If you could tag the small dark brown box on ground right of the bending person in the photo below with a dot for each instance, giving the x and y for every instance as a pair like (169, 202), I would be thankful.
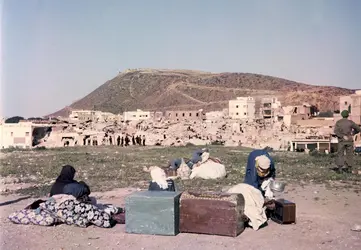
(284, 212)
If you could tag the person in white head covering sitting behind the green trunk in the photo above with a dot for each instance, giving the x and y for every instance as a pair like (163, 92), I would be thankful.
(159, 181)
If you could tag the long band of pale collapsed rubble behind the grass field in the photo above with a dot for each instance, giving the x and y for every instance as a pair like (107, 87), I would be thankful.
(159, 131)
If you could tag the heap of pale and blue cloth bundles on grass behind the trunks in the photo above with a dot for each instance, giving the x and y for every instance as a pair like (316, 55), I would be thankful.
(201, 165)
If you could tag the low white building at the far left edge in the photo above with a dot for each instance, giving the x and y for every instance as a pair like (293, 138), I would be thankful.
(16, 135)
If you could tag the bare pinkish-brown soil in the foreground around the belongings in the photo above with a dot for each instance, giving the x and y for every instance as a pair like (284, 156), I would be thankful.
(324, 221)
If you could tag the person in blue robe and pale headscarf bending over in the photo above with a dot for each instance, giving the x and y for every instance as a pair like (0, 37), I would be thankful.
(260, 171)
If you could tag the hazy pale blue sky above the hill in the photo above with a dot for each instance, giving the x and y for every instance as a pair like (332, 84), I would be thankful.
(57, 51)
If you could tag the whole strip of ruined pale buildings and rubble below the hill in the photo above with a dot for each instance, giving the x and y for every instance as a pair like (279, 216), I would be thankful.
(241, 124)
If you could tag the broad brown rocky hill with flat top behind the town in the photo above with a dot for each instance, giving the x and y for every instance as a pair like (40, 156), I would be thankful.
(151, 89)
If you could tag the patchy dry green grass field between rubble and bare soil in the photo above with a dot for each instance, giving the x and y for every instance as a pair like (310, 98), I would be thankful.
(106, 168)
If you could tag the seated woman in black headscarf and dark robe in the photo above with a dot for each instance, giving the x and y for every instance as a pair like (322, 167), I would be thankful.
(65, 184)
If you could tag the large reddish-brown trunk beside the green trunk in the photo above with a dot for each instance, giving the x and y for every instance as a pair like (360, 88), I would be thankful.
(212, 213)
